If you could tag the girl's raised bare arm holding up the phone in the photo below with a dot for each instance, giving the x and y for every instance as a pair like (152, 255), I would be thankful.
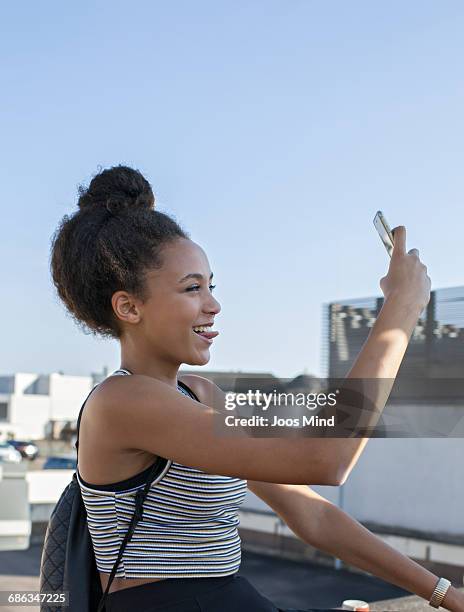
(145, 413)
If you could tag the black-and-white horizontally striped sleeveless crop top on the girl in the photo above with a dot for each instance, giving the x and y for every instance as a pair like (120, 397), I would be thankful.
(188, 529)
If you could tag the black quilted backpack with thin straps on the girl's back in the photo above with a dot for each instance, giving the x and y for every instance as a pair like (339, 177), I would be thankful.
(68, 560)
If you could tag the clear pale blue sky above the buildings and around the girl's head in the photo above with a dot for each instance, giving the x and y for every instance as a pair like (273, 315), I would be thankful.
(272, 131)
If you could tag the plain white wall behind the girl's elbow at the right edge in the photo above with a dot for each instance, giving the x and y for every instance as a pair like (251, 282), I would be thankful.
(410, 483)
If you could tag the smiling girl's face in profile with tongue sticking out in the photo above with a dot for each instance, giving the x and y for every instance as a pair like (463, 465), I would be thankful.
(180, 299)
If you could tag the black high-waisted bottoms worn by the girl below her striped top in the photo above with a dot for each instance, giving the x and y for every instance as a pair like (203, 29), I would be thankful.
(224, 594)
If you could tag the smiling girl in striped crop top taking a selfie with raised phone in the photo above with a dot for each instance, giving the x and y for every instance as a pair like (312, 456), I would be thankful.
(129, 272)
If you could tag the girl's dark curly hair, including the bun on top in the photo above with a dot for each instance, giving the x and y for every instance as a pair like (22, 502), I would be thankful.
(108, 245)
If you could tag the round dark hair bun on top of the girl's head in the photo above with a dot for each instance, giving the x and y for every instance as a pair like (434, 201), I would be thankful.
(117, 189)
